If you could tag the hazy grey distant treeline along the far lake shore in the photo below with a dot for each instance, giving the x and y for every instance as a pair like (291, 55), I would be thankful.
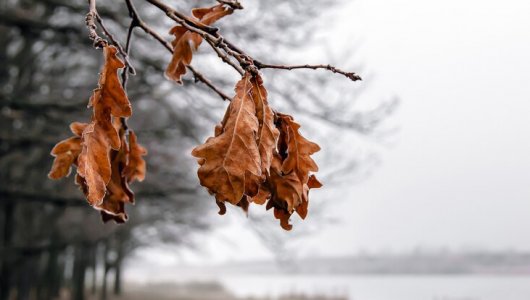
(442, 262)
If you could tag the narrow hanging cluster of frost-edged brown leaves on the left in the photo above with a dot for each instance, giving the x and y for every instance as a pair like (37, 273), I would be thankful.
(106, 162)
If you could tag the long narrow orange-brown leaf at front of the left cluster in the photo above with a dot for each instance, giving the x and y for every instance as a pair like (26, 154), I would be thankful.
(99, 137)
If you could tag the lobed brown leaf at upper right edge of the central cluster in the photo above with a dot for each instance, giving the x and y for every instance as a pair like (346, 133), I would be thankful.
(298, 150)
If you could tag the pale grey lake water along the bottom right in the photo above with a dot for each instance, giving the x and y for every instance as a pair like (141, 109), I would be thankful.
(384, 287)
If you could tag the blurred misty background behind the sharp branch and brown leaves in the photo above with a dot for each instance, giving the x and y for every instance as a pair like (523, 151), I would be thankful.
(425, 162)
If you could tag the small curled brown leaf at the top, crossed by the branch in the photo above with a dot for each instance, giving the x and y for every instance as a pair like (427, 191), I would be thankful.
(186, 42)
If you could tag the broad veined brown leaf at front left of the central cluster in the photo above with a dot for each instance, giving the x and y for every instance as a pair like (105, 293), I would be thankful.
(230, 161)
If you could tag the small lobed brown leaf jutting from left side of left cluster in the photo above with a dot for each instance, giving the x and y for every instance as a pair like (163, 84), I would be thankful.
(66, 152)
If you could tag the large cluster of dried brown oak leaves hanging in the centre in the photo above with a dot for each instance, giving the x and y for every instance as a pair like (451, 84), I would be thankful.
(257, 156)
